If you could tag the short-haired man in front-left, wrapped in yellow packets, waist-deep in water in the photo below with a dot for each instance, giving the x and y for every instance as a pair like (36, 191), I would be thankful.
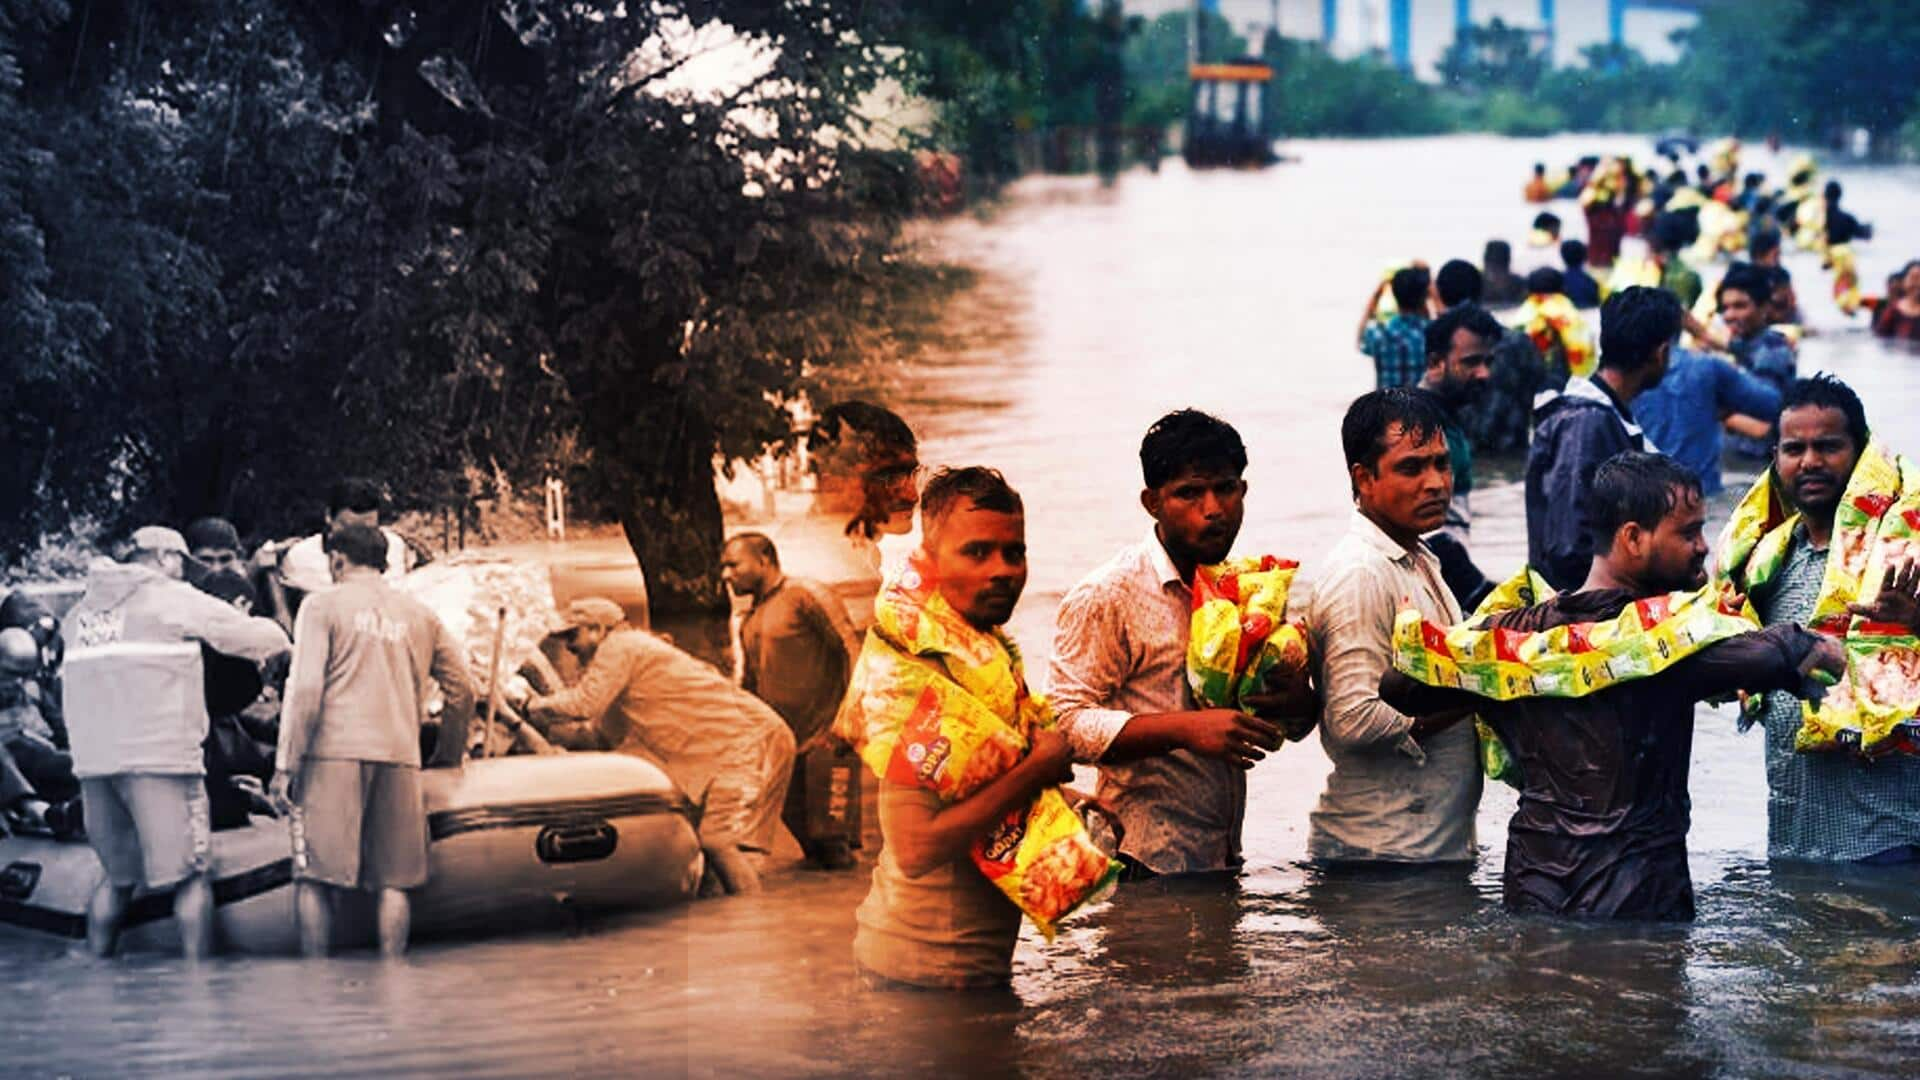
(974, 829)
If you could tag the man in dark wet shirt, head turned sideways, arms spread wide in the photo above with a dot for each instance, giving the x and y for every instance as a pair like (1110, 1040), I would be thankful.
(1604, 810)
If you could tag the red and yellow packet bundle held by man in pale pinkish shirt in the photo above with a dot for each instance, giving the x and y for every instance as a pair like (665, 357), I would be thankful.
(1239, 633)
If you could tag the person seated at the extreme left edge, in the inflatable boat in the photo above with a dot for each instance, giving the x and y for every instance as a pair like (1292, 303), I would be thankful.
(39, 793)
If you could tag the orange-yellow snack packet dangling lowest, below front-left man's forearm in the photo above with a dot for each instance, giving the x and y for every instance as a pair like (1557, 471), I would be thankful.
(1045, 862)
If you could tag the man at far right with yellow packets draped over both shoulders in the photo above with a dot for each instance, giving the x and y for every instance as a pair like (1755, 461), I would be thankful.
(1835, 489)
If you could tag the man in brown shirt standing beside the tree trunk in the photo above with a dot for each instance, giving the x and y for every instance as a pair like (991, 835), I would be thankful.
(794, 656)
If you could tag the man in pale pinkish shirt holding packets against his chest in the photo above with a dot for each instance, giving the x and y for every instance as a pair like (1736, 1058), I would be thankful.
(1174, 775)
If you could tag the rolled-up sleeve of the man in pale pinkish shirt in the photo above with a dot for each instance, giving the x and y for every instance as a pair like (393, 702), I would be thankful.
(1088, 670)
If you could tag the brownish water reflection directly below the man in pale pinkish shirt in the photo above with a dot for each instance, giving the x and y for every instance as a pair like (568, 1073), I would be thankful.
(1176, 931)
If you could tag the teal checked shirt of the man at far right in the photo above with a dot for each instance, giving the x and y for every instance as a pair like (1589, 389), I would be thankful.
(1827, 806)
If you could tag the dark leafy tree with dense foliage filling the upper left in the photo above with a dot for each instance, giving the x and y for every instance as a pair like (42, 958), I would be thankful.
(249, 247)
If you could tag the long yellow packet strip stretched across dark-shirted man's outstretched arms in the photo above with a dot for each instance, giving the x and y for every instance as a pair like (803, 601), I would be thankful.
(1566, 662)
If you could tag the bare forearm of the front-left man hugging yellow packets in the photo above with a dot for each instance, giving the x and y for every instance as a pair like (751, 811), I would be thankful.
(924, 839)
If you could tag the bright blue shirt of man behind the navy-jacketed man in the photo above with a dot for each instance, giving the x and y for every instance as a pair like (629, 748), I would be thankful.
(1683, 414)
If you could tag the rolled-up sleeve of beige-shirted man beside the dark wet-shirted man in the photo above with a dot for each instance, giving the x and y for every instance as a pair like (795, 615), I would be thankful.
(1355, 620)
